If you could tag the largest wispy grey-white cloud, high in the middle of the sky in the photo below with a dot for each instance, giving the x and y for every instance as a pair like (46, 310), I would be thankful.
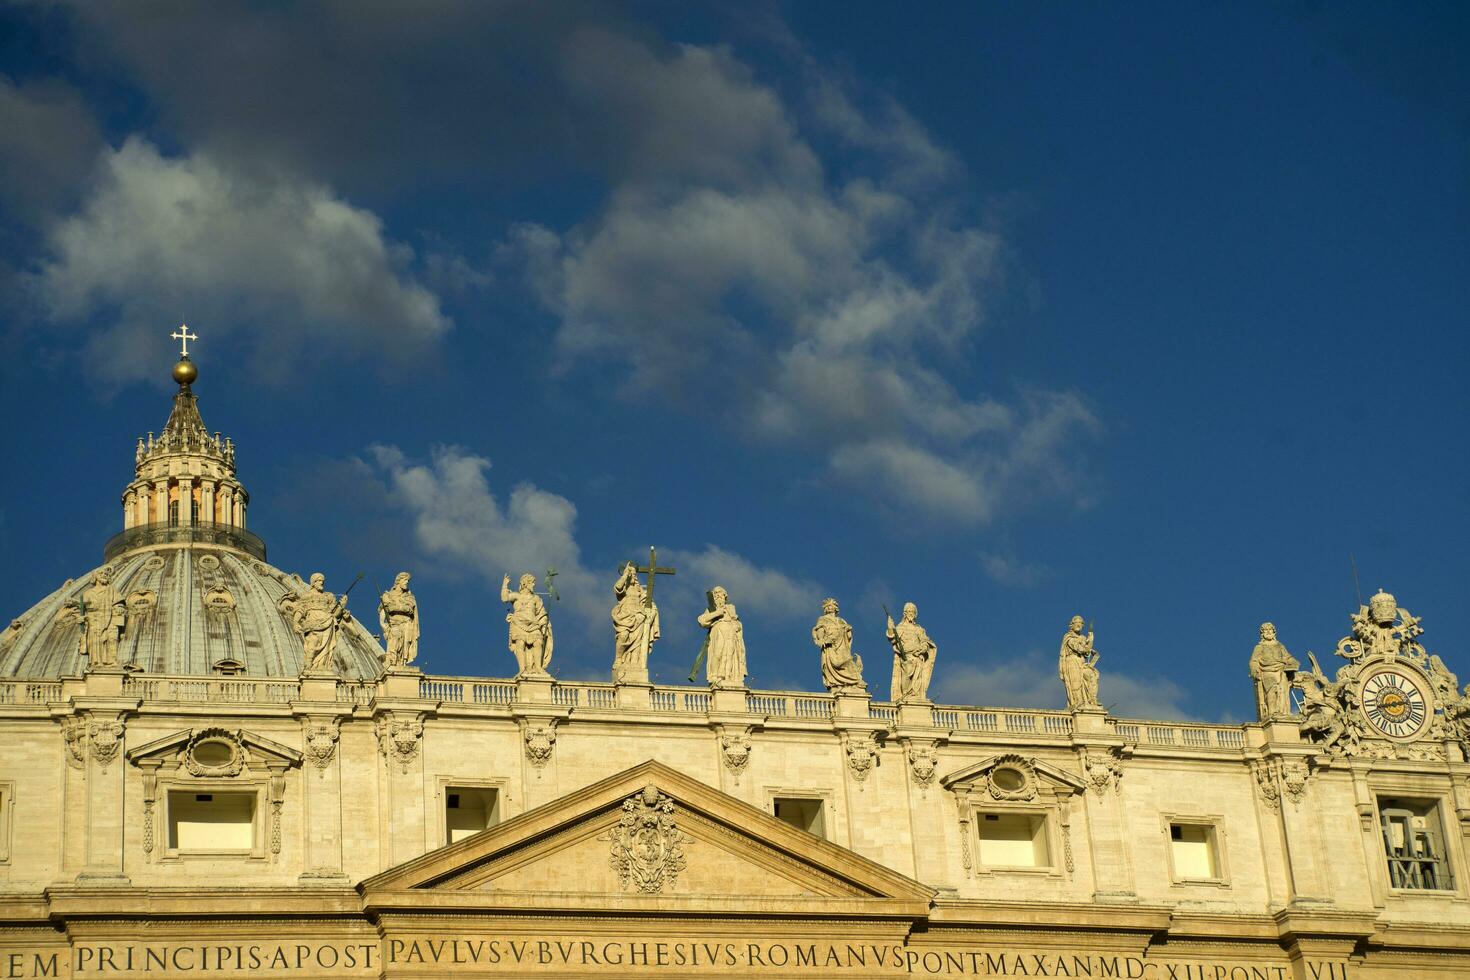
(736, 265)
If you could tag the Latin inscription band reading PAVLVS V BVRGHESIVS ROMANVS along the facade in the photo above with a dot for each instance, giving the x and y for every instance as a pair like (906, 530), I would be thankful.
(523, 956)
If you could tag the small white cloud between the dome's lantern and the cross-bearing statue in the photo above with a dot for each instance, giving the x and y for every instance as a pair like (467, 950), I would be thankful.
(459, 519)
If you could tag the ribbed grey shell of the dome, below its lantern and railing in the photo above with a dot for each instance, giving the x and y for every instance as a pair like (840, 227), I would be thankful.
(192, 610)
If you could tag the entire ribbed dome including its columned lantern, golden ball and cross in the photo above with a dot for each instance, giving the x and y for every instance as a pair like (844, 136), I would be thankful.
(198, 593)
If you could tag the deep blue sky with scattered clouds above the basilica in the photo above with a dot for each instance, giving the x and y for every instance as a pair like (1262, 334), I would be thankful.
(1155, 314)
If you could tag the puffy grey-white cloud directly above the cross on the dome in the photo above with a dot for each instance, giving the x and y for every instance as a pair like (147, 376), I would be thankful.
(168, 239)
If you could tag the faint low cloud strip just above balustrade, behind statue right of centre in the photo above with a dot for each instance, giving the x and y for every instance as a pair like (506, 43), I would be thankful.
(1033, 682)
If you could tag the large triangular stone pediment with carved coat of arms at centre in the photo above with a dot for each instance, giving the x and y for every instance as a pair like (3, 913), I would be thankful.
(649, 834)
